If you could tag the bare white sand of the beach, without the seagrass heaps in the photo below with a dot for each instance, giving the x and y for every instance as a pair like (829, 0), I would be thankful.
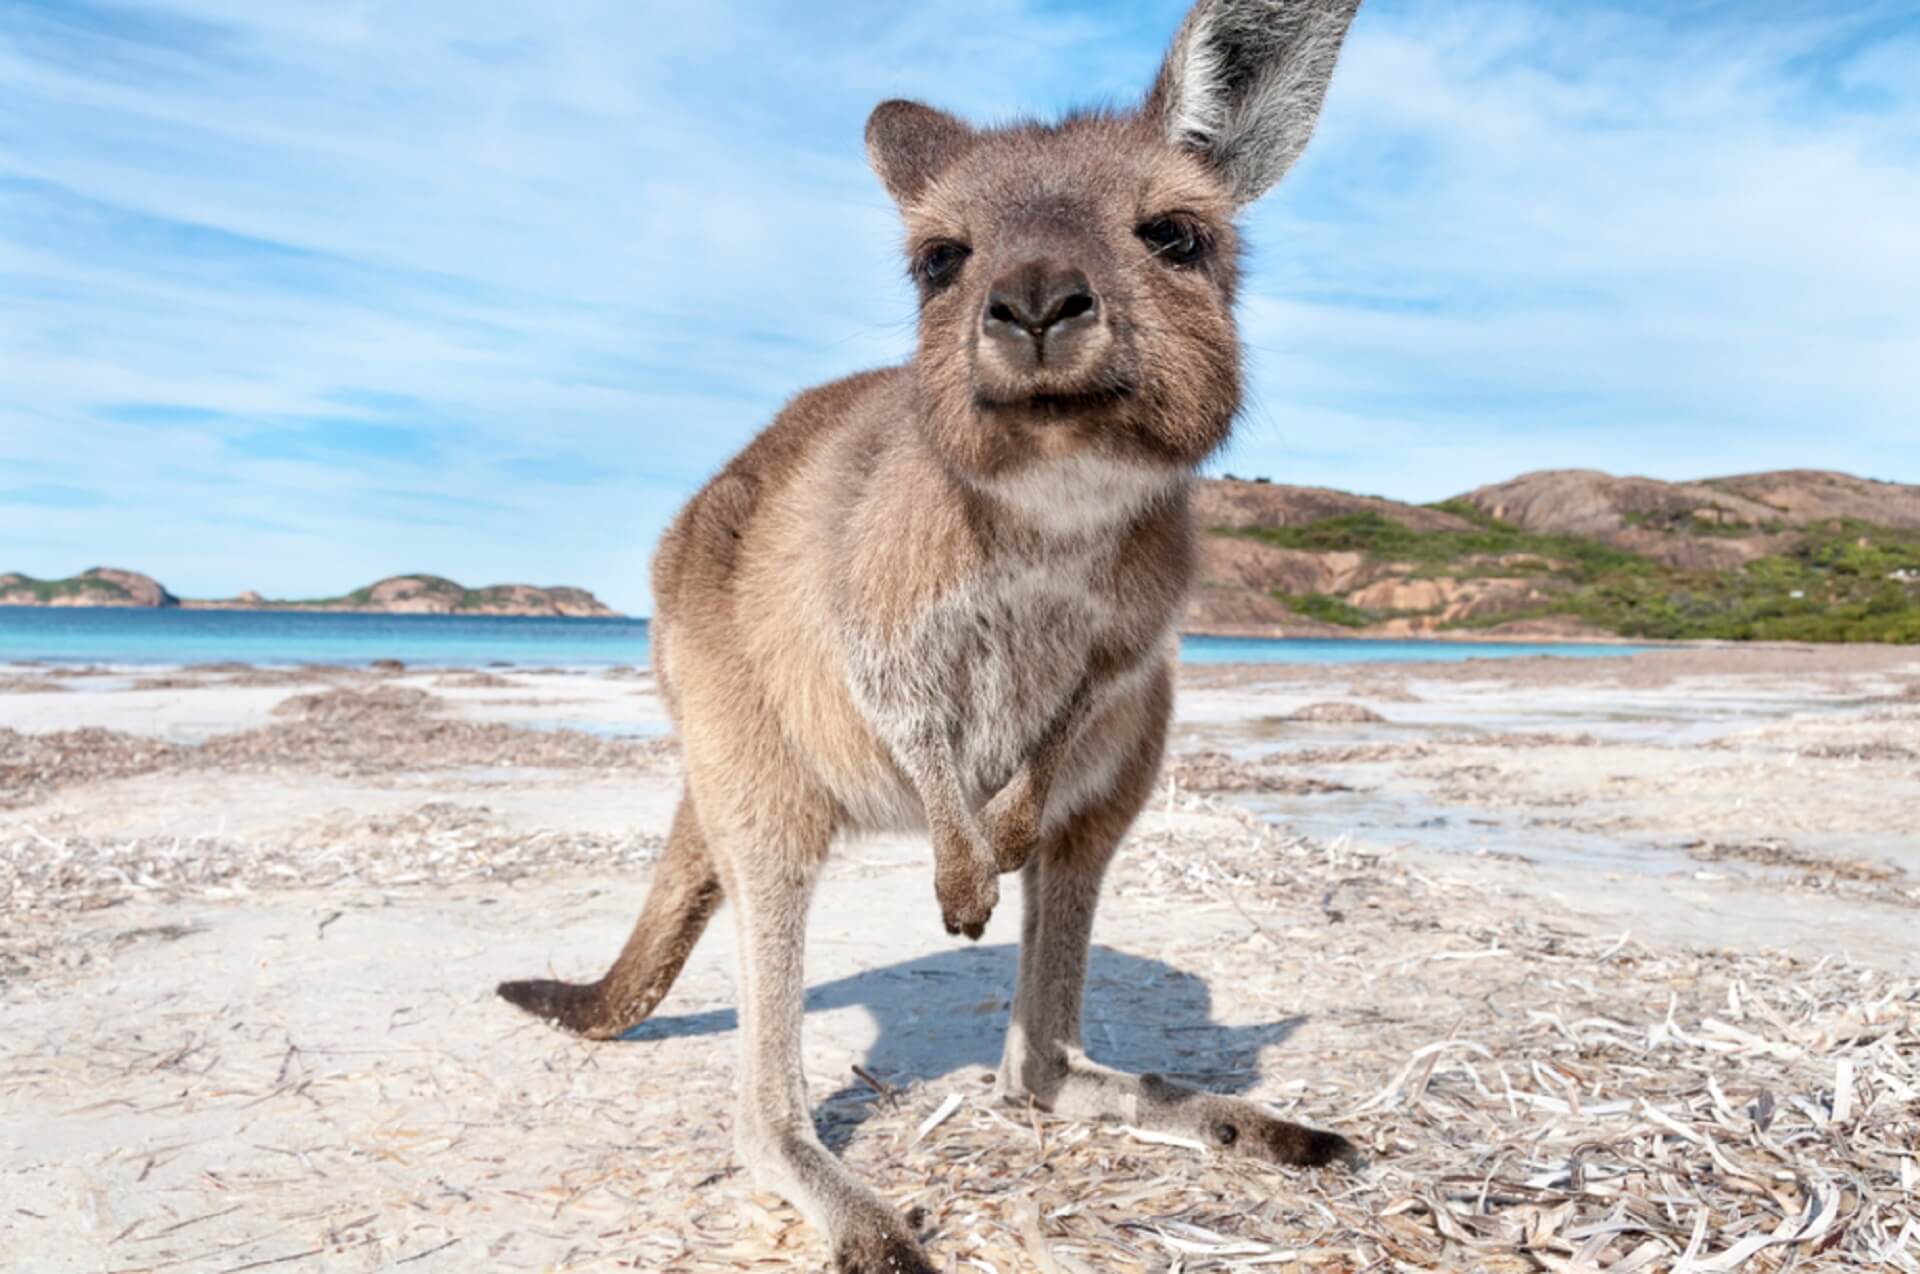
(322, 1077)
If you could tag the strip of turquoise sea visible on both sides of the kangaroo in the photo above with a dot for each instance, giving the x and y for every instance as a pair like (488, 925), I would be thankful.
(464, 642)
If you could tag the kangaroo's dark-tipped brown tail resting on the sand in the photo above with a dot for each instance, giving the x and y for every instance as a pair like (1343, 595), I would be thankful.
(686, 893)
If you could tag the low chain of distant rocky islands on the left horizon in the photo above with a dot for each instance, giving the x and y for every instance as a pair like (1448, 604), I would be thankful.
(107, 586)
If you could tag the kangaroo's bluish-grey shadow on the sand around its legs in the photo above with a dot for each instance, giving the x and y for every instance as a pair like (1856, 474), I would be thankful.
(949, 1010)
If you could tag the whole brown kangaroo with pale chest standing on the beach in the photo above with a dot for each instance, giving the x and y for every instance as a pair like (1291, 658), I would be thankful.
(944, 596)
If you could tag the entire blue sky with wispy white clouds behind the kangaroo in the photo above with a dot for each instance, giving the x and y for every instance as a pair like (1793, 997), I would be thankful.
(295, 296)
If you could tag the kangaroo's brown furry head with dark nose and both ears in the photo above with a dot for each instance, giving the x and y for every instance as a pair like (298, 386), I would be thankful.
(1076, 281)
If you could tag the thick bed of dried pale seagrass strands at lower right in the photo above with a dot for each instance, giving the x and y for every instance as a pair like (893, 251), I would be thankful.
(1577, 1104)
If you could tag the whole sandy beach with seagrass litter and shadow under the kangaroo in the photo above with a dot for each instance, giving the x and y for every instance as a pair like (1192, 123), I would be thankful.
(1608, 964)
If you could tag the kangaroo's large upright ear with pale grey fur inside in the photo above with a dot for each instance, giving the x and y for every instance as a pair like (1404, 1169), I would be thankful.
(1245, 82)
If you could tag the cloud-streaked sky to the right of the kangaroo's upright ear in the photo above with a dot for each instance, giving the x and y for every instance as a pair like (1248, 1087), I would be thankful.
(1637, 239)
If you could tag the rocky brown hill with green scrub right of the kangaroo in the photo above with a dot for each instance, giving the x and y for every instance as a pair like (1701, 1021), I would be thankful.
(1796, 555)
